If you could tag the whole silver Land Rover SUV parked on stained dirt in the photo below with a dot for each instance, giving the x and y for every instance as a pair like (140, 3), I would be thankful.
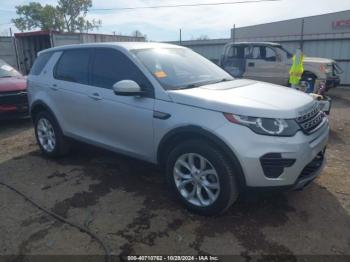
(165, 104)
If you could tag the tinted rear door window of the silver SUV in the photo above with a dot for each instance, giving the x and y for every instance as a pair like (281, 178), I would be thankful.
(73, 66)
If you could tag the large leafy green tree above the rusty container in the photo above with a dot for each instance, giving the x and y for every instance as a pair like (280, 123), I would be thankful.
(68, 15)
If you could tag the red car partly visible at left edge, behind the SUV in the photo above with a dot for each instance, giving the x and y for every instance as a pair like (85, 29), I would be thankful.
(13, 93)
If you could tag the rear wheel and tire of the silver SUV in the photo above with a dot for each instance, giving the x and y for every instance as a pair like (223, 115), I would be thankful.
(49, 135)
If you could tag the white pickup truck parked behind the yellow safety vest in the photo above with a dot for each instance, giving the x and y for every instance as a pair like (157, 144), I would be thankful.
(270, 62)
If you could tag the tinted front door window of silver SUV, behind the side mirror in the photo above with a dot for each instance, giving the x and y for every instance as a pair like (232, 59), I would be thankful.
(110, 66)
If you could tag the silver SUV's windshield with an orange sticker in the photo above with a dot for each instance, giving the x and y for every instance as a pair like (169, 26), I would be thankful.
(180, 68)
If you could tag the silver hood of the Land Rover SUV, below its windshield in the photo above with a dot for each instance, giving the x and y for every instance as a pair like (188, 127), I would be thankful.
(246, 97)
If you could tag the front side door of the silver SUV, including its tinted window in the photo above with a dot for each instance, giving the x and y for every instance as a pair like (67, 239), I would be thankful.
(122, 123)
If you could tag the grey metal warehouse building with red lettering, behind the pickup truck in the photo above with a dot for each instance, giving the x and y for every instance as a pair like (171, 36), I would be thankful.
(325, 35)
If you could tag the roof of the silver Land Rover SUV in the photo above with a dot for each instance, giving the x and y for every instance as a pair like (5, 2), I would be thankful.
(121, 45)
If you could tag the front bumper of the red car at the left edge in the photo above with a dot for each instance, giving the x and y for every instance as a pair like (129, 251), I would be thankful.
(13, 105)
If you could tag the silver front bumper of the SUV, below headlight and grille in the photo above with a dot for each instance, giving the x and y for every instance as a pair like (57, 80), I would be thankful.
(250, 147)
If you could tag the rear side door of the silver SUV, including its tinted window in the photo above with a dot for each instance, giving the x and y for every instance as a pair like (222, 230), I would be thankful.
(71, 87)
